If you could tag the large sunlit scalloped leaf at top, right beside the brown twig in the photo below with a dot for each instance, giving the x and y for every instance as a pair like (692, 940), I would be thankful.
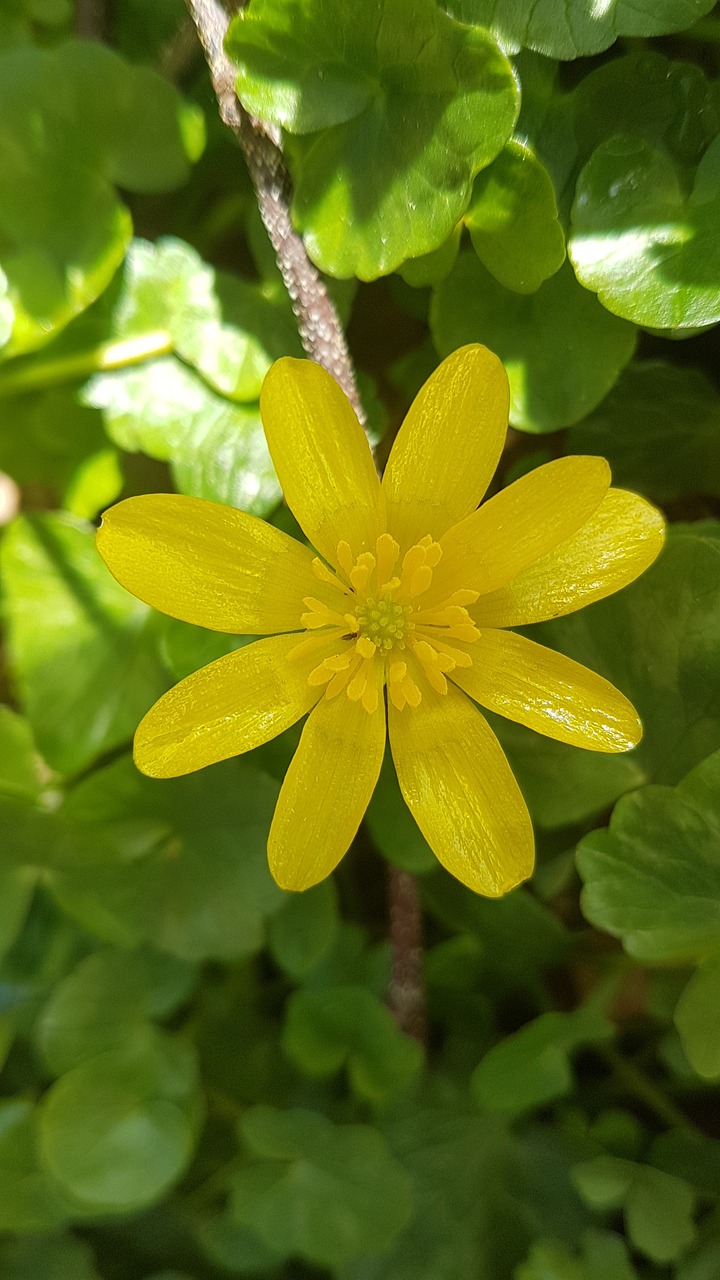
(394, 118)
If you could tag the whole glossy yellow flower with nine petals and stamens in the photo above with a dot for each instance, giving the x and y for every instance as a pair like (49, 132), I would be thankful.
(411, 592)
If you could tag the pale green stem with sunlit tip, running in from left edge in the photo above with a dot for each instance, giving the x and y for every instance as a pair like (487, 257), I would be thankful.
(38, 374)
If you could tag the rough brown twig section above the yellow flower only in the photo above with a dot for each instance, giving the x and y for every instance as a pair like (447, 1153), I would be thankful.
(318, 323)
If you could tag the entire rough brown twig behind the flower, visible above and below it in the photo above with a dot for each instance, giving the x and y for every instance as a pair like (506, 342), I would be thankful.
(325, 342)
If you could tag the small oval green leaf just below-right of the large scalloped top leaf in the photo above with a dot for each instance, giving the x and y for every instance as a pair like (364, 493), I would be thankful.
(513, 221)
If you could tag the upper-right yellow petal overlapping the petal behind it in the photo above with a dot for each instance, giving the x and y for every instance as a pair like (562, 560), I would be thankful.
(521, 524)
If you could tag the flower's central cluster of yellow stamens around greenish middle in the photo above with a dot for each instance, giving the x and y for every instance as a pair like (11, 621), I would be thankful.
(388, 628)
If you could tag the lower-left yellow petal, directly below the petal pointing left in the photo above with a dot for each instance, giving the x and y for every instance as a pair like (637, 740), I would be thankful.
(236, 703)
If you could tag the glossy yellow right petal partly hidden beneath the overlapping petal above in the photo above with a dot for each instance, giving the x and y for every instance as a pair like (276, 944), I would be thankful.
(612, 550)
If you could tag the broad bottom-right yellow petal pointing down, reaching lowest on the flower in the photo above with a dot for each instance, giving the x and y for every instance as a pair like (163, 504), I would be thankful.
(462, 792)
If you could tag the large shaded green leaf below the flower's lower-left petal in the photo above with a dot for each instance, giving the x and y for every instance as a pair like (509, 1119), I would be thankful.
(181, 863)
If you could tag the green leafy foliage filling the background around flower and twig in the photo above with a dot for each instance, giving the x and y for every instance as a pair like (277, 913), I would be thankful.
(200, 1076)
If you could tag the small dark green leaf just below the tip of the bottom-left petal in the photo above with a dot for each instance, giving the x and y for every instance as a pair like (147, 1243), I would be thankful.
(304, 930)
